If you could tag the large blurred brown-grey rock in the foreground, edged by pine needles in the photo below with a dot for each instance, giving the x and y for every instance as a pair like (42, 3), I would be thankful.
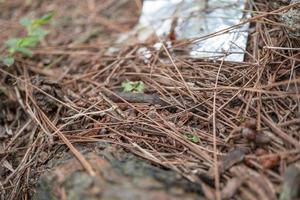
(120, 175)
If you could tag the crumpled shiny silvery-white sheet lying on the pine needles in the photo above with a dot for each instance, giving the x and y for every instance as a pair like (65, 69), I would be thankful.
(192, 19)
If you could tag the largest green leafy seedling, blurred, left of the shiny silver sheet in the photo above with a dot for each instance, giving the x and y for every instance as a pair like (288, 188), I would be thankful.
(34, 34)
